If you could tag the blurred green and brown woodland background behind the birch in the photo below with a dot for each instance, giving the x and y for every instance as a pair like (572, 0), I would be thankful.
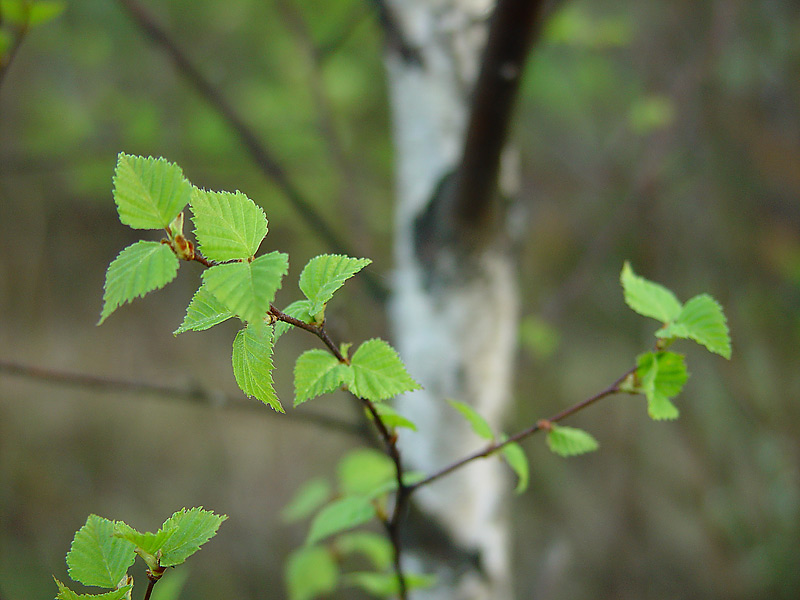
(664, 133)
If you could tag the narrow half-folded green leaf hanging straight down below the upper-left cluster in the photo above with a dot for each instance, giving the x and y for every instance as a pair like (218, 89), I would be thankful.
(252, 363)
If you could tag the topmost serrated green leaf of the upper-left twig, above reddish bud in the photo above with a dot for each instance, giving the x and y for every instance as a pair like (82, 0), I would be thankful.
(149, 192)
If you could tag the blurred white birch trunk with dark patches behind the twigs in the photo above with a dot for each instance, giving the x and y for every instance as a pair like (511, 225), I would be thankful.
(454, 316)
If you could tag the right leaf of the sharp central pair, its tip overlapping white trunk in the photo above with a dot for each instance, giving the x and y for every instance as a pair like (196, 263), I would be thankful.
(378, 372)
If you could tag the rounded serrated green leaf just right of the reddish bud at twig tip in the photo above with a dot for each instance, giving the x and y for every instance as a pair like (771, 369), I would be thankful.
(228, 226)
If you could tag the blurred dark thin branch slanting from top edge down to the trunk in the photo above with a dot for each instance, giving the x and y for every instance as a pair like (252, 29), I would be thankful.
(262, 155)
